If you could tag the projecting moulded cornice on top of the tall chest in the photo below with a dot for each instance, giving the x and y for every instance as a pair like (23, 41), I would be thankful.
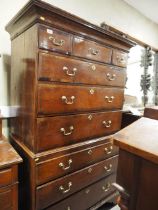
(40, 12)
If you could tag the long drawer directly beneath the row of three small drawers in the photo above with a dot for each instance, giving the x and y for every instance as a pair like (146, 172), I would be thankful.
(64, 69)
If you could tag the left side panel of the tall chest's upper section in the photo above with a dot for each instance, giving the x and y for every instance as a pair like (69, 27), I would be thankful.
(23, 85)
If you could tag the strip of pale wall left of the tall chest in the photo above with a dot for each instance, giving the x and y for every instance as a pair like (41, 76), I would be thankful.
(7, 10)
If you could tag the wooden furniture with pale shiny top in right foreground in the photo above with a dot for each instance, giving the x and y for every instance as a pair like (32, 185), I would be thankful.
(138, 164)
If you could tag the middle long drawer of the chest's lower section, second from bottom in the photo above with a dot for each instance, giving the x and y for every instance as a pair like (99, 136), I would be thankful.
(57, 190)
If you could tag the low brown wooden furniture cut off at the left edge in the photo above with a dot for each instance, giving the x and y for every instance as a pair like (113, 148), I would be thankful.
(9, 160)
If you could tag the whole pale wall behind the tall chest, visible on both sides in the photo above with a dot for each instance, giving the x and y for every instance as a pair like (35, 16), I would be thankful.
(116, 13)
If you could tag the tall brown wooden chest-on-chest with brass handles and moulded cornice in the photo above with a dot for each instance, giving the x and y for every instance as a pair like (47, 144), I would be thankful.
(68, 78)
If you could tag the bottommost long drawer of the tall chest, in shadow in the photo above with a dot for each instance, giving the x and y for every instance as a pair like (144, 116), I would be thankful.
(87, 197)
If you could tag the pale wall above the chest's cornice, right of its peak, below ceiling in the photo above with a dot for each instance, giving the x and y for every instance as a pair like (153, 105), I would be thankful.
(116, 13)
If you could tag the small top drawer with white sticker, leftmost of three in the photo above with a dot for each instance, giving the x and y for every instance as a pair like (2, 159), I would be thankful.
(55, 40)
